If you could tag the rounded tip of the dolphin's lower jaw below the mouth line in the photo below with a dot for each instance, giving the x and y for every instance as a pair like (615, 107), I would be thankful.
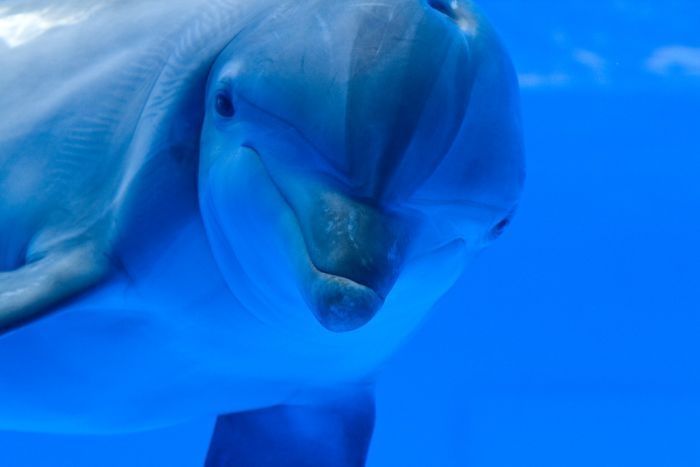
(341, 304)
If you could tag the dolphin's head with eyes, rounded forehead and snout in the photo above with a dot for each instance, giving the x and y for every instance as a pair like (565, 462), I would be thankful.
(344, 141)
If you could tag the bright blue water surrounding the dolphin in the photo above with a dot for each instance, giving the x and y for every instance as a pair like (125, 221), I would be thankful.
(575, 339)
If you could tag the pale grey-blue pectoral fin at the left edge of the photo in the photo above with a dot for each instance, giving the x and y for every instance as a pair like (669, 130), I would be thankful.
(32, 289)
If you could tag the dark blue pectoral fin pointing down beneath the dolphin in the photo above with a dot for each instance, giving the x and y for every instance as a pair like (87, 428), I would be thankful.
(332, 433)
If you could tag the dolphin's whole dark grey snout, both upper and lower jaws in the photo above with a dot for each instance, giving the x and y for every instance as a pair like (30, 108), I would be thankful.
(357, 250)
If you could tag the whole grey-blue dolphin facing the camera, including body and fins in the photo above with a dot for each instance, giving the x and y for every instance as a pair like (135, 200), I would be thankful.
(237, 206)
